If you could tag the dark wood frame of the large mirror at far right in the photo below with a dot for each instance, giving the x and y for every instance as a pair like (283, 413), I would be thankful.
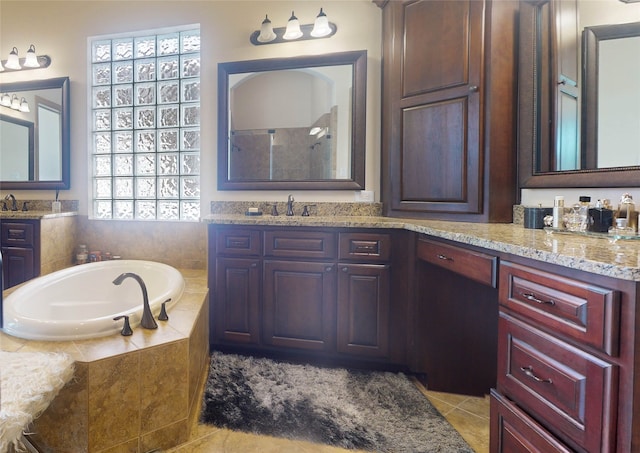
(528, 139)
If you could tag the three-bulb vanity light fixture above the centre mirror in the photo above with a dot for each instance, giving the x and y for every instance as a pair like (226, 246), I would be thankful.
(321, 28)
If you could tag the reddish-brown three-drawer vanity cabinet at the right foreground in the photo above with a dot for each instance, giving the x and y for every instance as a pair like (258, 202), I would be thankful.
(566, 367)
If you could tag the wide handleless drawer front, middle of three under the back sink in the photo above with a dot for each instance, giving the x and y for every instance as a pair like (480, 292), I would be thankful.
(299, 244)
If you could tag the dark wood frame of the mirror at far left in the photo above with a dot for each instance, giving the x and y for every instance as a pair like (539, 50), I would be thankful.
(63, 84)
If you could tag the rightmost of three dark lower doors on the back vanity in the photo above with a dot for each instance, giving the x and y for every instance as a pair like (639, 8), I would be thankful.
(363, 309)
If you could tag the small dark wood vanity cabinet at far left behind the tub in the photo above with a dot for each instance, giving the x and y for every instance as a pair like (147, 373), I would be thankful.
(20, 241)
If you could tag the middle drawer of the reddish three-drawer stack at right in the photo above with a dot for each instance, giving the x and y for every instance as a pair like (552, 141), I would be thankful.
(568, 391)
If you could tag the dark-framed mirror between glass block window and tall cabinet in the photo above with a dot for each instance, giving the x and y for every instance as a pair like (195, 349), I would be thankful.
(292, 123)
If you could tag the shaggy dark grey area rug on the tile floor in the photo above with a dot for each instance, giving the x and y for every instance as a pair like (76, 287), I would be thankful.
(374, 411)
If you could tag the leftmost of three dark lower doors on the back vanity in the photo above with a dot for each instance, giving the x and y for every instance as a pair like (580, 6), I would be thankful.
(236, 306)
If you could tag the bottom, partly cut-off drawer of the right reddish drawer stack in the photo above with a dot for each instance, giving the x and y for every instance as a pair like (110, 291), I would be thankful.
(513, 431)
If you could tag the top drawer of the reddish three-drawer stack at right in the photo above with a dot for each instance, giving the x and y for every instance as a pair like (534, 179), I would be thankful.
(584, 312)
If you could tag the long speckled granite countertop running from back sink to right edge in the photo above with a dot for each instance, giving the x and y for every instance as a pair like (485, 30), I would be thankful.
(619, 259)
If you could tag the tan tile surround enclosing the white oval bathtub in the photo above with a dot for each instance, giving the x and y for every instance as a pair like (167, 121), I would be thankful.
(132, 393)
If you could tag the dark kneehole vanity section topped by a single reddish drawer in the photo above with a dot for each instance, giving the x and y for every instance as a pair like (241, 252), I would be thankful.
(455, 317)
